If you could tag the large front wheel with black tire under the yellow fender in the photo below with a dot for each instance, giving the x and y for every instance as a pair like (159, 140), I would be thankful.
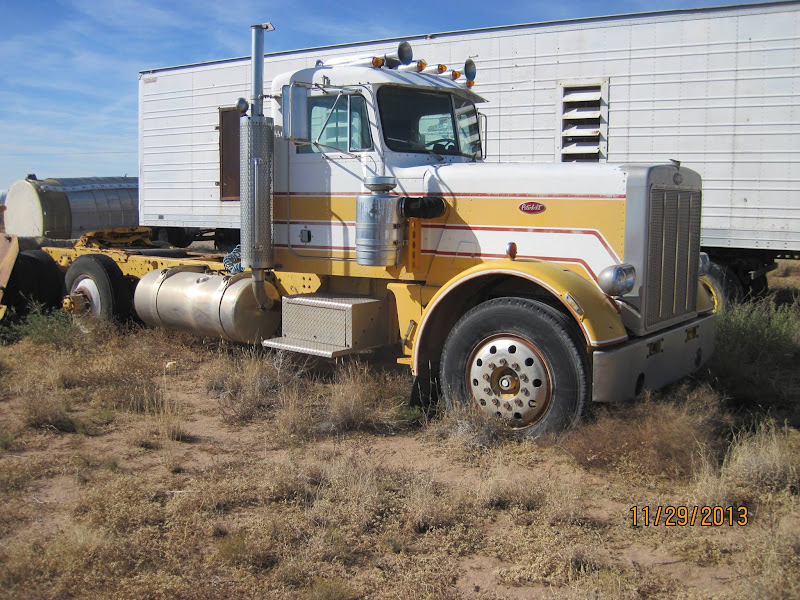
(515, 358)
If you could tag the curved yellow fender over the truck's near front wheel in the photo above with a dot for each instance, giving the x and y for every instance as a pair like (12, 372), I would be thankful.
(595, 313)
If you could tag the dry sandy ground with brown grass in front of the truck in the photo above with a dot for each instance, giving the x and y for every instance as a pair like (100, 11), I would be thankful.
(183, 491)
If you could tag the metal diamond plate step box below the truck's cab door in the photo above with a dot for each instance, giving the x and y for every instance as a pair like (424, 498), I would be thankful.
(331, 325)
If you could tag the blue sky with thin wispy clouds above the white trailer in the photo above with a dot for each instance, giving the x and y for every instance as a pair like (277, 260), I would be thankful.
(69, 68)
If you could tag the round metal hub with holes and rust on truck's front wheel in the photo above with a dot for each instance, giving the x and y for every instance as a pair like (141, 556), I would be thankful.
(509, 379)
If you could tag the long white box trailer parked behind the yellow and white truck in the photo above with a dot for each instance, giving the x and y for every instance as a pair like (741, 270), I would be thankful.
(714, 88)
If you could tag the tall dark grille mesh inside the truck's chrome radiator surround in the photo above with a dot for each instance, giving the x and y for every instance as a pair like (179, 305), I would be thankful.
(673, 253)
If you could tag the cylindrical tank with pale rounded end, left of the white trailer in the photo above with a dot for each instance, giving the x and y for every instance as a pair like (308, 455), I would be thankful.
(68, 208)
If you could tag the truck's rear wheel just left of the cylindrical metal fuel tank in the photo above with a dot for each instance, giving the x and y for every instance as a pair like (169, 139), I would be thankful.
(100, 283)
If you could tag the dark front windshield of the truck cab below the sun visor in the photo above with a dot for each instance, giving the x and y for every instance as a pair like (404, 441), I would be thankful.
(421, 121)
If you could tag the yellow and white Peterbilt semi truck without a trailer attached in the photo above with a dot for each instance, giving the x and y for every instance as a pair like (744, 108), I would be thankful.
(370, 219)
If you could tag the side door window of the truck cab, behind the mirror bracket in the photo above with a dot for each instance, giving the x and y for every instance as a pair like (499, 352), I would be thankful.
(341, 122)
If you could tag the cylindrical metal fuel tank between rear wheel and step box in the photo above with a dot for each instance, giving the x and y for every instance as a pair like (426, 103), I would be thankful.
(190, 299)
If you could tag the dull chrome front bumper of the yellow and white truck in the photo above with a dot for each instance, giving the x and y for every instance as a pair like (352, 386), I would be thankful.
(652, 362)
